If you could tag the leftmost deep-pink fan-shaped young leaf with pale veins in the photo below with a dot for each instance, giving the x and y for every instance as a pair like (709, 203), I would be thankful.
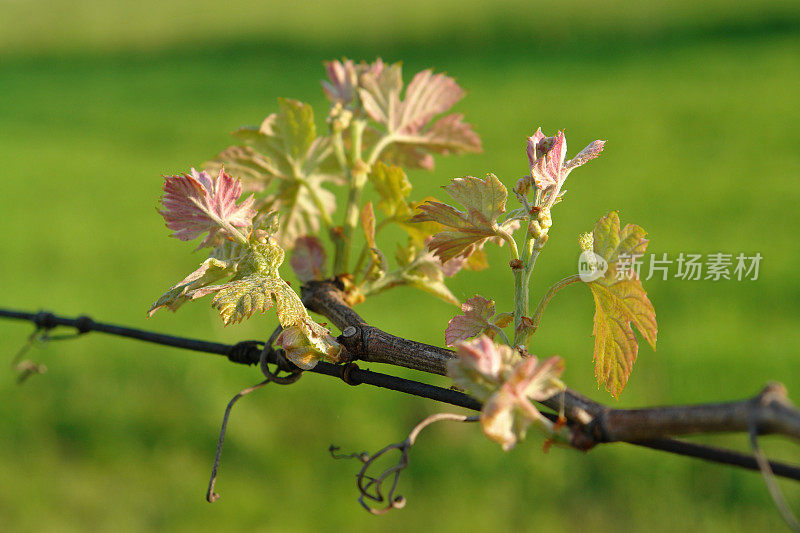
(195, 203)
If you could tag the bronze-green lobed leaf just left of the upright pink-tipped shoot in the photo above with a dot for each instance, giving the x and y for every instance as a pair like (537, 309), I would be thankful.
(484, 201)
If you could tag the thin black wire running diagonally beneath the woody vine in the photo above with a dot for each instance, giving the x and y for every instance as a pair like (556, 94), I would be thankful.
(248, 352)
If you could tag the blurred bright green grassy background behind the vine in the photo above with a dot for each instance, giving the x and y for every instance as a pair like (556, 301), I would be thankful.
(698, 101)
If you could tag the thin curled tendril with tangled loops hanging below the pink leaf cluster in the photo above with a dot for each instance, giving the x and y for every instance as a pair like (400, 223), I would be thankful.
(371, 488)
